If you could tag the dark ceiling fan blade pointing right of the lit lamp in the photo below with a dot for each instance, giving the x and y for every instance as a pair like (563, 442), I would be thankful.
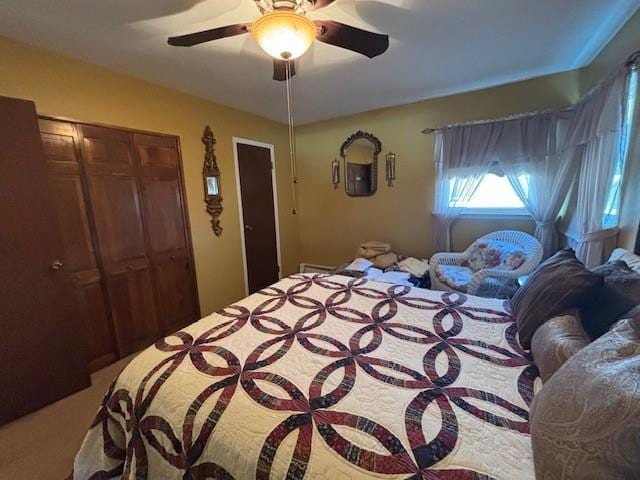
(355, 39)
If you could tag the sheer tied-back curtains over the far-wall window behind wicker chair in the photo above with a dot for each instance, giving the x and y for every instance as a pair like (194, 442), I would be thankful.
(520, 145)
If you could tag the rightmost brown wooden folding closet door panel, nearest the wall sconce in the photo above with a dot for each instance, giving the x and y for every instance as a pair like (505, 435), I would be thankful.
(166, 222)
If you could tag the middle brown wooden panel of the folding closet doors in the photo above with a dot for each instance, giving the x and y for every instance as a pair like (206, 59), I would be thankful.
(108, 157)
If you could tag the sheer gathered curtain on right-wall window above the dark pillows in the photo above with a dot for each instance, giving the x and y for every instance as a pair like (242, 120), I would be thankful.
(595, 141)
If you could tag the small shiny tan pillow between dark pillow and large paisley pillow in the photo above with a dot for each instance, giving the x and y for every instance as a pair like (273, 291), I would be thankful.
(556, 341)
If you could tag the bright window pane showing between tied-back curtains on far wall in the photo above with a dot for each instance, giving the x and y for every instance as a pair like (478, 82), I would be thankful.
(495, 196)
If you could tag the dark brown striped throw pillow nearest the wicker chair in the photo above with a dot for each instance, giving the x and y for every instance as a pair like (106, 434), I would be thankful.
(559, 284)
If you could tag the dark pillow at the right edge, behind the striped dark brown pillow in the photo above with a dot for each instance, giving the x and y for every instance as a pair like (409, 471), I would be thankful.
(620, 292)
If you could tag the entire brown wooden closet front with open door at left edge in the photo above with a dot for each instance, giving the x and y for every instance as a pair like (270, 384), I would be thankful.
(96, 251)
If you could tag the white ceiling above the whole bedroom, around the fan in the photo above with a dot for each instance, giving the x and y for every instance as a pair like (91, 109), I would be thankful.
(438, 47)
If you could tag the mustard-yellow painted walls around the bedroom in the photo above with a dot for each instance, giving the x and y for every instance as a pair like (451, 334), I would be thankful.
(330, 224)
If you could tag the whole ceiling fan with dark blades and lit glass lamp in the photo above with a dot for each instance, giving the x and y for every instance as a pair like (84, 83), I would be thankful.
(285, 32)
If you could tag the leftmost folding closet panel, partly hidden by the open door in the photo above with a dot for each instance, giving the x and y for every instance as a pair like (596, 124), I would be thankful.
(59, 140)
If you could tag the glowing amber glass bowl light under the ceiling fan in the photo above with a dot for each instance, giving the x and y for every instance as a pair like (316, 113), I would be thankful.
(284, 35)
